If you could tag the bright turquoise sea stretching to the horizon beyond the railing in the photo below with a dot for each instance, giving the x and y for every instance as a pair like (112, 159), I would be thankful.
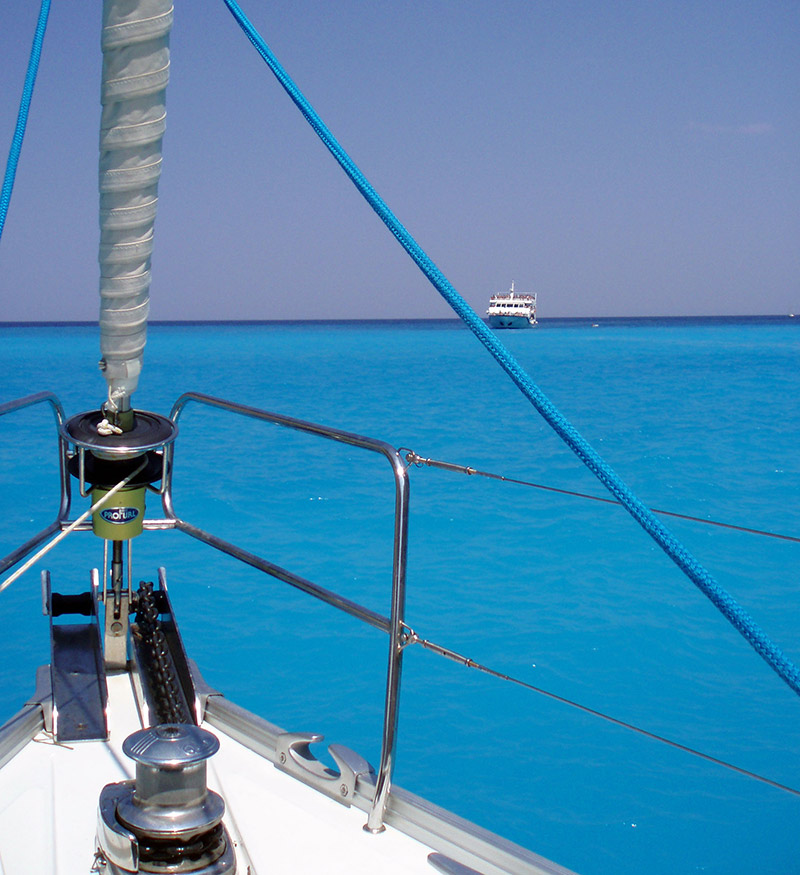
(699, 416)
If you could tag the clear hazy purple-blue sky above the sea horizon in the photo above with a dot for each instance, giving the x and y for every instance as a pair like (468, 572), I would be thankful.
(620, 158)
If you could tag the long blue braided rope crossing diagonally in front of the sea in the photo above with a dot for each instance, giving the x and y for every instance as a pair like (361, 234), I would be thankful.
(736, 615)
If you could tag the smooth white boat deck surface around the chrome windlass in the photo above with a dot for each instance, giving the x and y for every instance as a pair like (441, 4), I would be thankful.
(49, 795)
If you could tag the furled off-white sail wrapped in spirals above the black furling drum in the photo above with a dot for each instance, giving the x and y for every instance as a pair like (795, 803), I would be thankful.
(135, 75)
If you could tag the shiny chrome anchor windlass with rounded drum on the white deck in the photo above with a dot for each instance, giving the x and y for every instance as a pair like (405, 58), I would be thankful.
(166, 820)
